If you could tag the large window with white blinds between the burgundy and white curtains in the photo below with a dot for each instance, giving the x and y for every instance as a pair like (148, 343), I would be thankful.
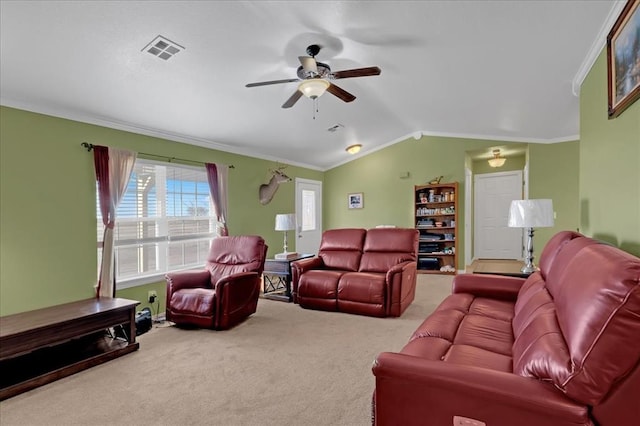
(165, 222)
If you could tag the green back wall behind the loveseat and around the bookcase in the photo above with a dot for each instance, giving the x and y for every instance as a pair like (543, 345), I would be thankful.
(388, 195)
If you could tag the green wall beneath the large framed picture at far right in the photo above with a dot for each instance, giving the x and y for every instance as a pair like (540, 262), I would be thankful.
(609, 165)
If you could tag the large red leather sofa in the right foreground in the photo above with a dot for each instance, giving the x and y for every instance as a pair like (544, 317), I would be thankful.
(559, 348)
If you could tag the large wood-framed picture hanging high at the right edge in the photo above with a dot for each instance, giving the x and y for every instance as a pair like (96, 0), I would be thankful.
(623, 59)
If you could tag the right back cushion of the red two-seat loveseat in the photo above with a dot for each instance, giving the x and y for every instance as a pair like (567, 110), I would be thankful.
(387, 247)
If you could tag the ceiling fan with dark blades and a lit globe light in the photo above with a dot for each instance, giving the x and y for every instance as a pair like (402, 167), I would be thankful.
(314, 78)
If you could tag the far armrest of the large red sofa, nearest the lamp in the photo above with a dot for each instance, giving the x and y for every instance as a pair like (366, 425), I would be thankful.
(485, 285)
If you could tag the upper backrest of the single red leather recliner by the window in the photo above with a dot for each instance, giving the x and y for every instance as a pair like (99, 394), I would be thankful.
(230, 255)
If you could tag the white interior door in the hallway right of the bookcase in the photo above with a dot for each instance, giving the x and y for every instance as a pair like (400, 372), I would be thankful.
(493, 193)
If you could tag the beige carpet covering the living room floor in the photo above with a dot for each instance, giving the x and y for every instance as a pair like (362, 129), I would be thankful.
(283, 366)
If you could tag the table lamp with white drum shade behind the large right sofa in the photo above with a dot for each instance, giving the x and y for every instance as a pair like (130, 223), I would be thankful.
(530, 214)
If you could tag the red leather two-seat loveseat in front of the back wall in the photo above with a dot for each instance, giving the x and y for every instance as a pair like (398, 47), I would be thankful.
(360, 272)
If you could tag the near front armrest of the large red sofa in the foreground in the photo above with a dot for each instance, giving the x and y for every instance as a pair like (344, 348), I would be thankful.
(410, 389)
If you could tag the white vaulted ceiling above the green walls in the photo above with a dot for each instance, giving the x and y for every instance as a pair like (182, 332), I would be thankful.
(502, 70)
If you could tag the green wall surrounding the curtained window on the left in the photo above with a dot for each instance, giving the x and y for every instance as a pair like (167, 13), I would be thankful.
(47, 197)
